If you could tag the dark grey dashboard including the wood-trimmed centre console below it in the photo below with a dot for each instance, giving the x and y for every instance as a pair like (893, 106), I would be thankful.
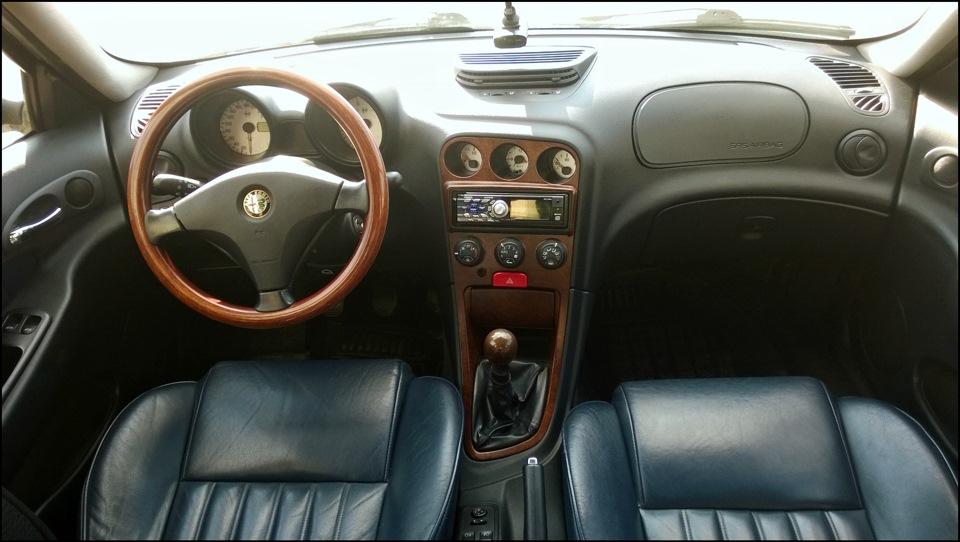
(521, 185)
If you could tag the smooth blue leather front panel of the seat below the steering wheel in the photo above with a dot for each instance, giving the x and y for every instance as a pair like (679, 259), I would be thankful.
(285, 421)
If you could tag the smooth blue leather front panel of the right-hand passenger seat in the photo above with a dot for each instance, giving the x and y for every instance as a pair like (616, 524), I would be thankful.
(755, 444)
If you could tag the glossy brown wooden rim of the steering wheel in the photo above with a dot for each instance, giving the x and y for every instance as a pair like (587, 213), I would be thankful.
(140, 179)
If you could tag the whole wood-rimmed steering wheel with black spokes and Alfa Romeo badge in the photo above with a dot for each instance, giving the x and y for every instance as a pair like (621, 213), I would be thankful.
(264, 215)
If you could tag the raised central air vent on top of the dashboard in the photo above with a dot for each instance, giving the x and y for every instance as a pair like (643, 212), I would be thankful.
(524, 69)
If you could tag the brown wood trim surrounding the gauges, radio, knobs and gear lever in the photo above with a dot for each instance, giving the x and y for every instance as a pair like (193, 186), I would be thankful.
(468, 280)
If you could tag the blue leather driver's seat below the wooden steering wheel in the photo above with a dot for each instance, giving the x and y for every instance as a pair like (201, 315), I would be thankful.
(279, 450)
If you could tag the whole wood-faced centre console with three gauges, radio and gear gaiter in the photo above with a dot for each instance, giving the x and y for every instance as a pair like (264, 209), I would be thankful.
(510, 209)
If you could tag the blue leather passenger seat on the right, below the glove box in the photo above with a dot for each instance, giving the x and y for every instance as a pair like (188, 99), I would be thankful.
(765, 458)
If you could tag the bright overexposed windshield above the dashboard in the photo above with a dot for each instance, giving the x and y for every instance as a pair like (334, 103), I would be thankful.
(179, 31)
